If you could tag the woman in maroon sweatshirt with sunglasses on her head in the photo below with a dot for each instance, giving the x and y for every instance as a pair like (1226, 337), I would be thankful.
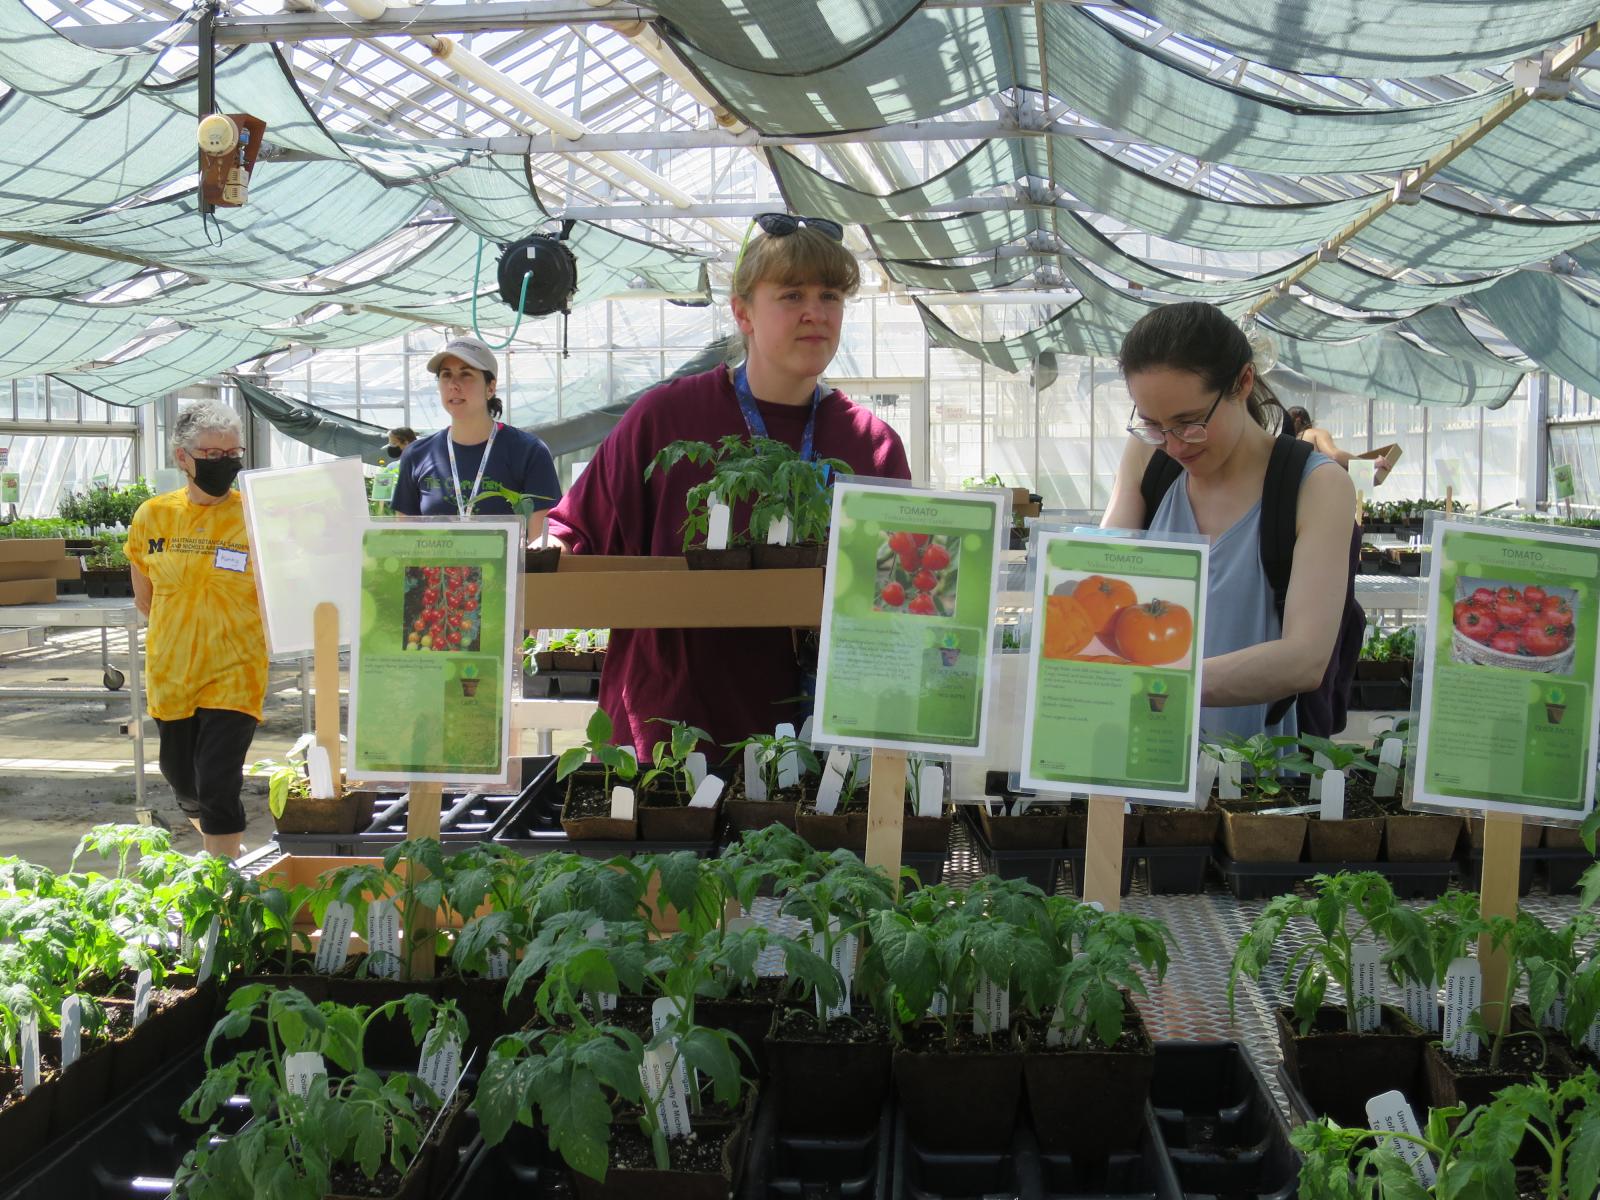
(790, 292)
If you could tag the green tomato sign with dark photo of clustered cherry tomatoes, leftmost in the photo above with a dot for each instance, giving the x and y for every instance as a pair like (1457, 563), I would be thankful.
(430, 681)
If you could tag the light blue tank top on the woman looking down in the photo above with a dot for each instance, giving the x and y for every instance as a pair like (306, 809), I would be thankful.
(1239, 609)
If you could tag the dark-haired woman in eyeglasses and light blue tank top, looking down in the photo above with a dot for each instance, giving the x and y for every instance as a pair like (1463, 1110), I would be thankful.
(1199, 401)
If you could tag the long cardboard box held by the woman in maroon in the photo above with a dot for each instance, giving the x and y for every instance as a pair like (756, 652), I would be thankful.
(599, 593)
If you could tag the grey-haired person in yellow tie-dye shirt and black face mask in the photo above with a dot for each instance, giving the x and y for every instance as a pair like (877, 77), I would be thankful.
(206, 652)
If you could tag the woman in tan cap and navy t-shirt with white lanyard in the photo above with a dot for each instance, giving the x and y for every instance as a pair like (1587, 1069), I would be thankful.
(476, 466)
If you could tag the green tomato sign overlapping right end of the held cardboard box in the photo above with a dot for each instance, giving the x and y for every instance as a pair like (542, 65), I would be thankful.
(908, 617)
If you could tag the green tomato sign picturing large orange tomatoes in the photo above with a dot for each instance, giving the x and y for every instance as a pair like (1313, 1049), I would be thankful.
(1114, 668)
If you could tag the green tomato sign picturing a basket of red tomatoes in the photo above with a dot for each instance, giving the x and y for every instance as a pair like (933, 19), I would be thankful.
(1508, 716)
